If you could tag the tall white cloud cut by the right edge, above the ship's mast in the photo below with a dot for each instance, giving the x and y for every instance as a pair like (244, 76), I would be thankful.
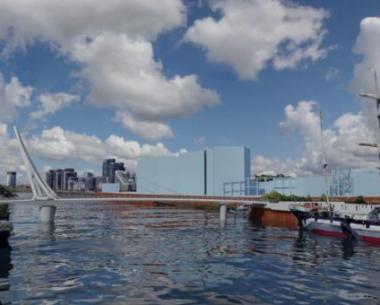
(368, 46)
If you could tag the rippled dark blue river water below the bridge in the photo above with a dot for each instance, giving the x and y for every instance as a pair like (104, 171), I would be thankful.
(104, 253)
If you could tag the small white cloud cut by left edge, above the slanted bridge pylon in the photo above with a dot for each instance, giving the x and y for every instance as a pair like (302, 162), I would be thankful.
(13, 96)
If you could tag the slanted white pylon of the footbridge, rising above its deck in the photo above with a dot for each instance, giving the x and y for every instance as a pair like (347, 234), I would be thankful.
(41, 190)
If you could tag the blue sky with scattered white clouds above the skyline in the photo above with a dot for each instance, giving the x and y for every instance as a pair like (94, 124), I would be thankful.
(92, 79)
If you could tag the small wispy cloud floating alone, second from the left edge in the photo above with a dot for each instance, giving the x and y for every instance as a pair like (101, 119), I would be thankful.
(51, 103)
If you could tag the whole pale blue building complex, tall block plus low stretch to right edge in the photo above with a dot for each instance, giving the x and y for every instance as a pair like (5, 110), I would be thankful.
(226, 171)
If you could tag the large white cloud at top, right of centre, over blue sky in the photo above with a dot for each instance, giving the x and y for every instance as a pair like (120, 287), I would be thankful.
(254, 34)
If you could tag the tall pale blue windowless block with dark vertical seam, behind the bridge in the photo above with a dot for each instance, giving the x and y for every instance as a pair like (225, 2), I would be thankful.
(194, 173)
